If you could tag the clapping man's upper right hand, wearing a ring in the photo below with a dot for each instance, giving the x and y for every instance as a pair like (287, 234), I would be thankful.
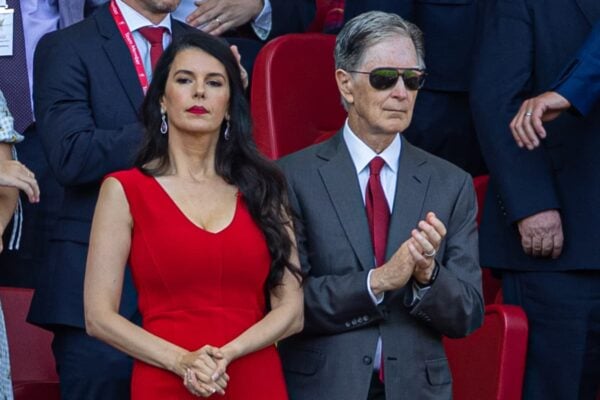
(424, 245)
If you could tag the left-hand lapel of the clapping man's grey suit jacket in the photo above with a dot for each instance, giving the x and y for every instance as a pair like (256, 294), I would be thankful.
(339, 178)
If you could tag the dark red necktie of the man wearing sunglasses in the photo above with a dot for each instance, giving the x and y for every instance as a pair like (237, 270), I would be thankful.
(378, 212)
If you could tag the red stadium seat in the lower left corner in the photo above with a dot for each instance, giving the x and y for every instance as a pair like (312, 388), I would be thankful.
(32, 363)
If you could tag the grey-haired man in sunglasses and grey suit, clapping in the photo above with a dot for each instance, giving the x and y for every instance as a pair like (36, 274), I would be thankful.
(375, 333)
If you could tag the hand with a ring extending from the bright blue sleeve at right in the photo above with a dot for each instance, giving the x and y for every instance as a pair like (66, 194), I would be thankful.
(527, 127)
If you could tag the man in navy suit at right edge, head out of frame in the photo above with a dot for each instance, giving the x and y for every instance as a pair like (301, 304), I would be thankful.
(540, 218)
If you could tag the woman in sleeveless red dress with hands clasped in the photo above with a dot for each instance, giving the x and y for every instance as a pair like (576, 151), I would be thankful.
(204, 224)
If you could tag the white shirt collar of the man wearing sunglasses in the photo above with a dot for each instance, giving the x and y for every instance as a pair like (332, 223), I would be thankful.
(362, 154)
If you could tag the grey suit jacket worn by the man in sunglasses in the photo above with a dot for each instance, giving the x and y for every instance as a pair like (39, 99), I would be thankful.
(333, 357)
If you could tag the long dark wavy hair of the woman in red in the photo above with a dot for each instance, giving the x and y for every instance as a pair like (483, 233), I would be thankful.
(237, 160)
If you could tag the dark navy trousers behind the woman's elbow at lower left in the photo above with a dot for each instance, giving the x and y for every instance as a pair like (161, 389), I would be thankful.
(88, 368)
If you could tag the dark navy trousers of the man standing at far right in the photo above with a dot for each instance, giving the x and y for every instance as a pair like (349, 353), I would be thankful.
(563, 310)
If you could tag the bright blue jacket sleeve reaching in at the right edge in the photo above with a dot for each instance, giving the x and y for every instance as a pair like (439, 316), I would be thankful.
(580, 83)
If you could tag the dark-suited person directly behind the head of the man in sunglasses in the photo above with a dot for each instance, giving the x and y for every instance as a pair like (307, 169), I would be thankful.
(442, 122)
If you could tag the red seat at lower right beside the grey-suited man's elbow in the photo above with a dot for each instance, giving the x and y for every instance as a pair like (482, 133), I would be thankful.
(490, 363)
